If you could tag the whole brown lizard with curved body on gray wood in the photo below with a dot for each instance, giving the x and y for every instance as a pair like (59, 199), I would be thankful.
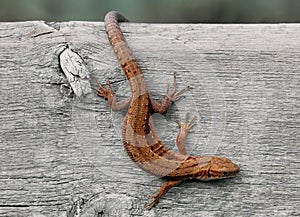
(138, 133)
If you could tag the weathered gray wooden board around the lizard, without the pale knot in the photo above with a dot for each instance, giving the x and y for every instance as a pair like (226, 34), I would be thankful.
(56, 149)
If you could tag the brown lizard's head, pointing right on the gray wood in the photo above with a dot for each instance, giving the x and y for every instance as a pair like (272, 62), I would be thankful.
(218, 168)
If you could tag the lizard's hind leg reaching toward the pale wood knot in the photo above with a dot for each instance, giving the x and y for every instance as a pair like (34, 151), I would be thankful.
(111, 97)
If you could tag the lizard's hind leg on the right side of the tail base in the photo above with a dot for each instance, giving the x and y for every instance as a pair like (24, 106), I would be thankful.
(167, 101)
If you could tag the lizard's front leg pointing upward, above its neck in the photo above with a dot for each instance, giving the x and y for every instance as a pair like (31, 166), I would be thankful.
(184, 129)
